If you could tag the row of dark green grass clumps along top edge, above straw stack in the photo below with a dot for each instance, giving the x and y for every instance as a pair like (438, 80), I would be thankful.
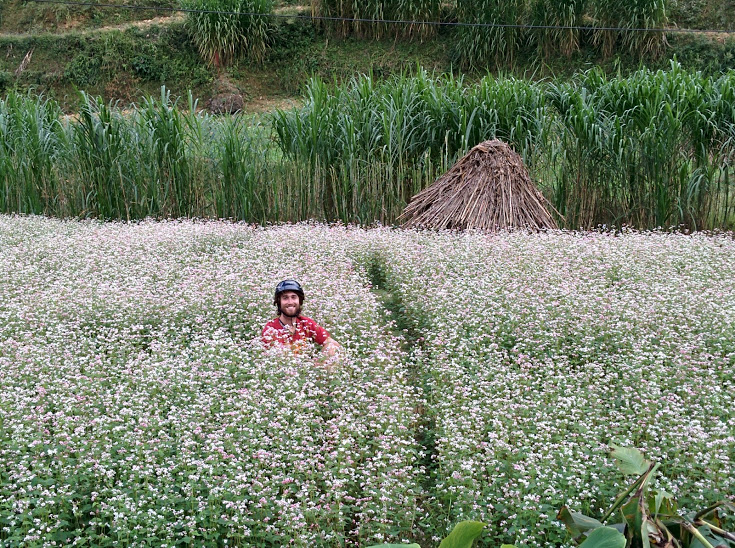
(503, 34)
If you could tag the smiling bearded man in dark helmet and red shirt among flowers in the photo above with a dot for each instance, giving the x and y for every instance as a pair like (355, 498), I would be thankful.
(292, 329)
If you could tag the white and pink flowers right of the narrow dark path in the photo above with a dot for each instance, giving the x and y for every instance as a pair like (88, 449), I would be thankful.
(543, 350)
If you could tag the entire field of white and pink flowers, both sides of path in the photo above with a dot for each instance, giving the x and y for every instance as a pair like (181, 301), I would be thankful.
(485, 380)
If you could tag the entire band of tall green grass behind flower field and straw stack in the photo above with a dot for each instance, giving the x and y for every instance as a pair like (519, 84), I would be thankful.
(653, 149)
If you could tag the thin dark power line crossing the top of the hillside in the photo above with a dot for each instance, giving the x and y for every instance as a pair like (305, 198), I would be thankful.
(384, 21)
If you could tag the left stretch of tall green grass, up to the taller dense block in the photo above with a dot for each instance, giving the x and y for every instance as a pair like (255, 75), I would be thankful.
(160, 161)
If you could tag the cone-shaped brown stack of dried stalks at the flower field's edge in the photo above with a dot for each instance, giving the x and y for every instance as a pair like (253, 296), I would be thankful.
(488, 189)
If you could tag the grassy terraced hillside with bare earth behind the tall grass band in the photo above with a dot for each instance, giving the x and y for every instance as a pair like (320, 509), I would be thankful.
(122, 54)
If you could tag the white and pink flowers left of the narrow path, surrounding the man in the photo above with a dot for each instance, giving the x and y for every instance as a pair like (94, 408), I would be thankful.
(138, 406)
